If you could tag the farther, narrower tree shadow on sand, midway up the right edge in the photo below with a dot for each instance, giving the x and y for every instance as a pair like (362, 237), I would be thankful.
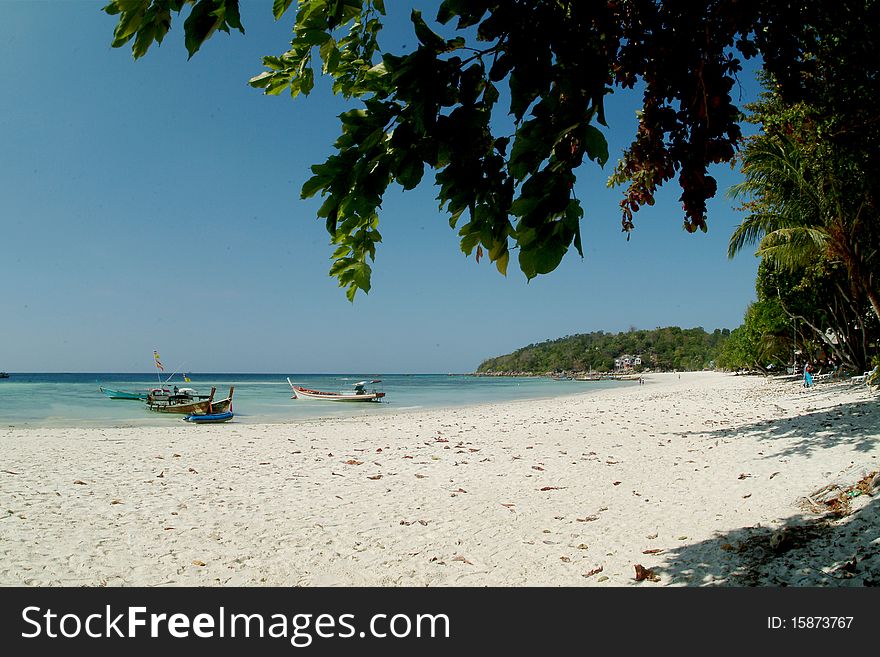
(853, 424)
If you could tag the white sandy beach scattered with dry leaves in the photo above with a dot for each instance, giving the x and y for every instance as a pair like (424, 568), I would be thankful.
(701, 480)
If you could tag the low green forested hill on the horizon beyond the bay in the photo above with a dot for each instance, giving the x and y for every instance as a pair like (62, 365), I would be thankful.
(661, 348)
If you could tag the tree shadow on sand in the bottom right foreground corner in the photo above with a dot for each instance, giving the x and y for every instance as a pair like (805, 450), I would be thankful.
(806, 550)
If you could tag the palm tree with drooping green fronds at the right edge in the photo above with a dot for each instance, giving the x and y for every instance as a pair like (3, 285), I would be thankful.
(800, 211)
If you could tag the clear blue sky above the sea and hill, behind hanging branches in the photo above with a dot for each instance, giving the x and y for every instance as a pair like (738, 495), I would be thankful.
(155, 205)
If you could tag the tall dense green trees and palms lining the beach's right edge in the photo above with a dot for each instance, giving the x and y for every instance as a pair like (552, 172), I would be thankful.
(810, 196)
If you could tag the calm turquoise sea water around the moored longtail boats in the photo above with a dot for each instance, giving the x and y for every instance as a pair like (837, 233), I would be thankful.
(72, 400)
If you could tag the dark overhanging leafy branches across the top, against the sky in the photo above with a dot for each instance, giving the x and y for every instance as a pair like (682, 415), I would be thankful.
(554, 61)
